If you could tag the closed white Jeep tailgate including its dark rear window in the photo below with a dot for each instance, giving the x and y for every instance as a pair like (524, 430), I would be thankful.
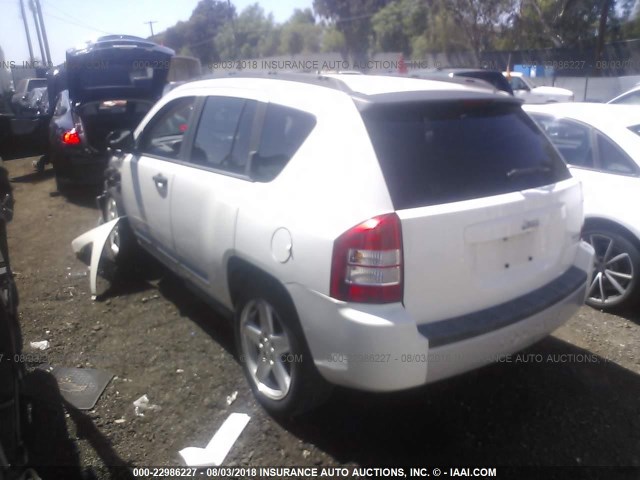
(489, 211)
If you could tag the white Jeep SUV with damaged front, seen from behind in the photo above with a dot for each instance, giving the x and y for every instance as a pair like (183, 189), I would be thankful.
(378, 233)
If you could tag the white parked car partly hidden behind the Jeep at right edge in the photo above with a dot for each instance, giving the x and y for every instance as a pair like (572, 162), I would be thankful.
(601, 144)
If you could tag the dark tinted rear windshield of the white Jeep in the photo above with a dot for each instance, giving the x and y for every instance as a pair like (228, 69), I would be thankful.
(446, 152)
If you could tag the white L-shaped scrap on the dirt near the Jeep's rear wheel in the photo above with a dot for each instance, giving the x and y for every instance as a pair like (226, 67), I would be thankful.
(219, 446)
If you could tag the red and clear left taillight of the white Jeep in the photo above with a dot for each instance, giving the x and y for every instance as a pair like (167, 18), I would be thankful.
(367, 262)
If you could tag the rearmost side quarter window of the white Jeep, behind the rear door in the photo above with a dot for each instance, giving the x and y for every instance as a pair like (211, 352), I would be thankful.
(284, 130)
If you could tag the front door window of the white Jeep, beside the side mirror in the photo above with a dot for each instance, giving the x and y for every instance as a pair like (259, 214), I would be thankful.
(164, 135)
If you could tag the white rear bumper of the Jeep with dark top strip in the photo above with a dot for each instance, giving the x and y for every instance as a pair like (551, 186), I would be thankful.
(381, 348)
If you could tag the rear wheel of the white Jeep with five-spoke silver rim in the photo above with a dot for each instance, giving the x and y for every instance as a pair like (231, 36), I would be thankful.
(274, 355)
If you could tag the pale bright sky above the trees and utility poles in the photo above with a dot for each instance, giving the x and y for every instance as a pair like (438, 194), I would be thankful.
(72, 22)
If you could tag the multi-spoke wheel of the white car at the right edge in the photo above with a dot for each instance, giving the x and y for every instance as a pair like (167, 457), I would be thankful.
(615, 284)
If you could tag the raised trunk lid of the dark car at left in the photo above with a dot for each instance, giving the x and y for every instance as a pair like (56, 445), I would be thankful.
(117, 67)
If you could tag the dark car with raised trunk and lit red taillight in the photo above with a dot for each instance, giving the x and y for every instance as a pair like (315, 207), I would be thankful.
(106, 85)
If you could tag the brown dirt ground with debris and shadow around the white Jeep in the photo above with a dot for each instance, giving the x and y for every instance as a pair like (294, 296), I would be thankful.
(572, 399)
